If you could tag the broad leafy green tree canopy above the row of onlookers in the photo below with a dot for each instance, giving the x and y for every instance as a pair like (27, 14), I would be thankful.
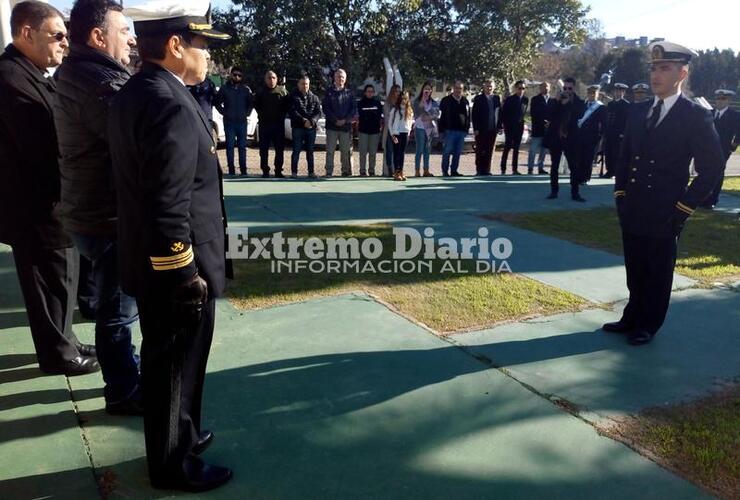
(446, 39)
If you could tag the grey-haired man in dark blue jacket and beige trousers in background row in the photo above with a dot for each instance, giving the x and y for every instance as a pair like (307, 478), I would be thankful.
(340, 110)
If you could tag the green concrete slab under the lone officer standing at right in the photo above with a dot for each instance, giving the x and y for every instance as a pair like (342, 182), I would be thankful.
(569, 357)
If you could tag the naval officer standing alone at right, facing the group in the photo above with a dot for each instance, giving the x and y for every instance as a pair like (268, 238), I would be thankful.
(653, 201)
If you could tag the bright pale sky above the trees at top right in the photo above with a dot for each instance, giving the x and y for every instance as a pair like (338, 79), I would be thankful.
(697, 24)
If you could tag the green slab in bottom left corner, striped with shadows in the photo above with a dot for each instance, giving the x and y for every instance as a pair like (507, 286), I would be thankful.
(42, 454)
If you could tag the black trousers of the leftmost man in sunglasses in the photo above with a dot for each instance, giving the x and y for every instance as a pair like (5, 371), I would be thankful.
(48, 280)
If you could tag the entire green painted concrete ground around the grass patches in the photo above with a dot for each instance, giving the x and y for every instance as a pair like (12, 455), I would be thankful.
(342, 398)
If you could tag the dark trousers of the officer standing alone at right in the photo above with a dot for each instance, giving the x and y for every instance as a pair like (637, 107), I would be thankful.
(649, 262)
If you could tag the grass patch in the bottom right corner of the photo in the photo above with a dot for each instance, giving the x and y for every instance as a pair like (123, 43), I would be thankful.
(700, 440)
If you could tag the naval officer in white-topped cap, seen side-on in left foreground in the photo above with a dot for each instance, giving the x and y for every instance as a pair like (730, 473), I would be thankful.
(170, 232)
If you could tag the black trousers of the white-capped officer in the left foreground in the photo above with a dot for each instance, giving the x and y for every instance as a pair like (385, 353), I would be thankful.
(174, 354)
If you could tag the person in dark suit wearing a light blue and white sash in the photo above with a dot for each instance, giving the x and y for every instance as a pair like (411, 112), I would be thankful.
(591, 127)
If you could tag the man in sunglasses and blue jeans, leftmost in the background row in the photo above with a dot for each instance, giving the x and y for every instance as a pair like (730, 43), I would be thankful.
(234, 101)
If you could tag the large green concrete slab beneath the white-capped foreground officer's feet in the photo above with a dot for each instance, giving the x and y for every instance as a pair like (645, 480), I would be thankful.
(340, 398)
